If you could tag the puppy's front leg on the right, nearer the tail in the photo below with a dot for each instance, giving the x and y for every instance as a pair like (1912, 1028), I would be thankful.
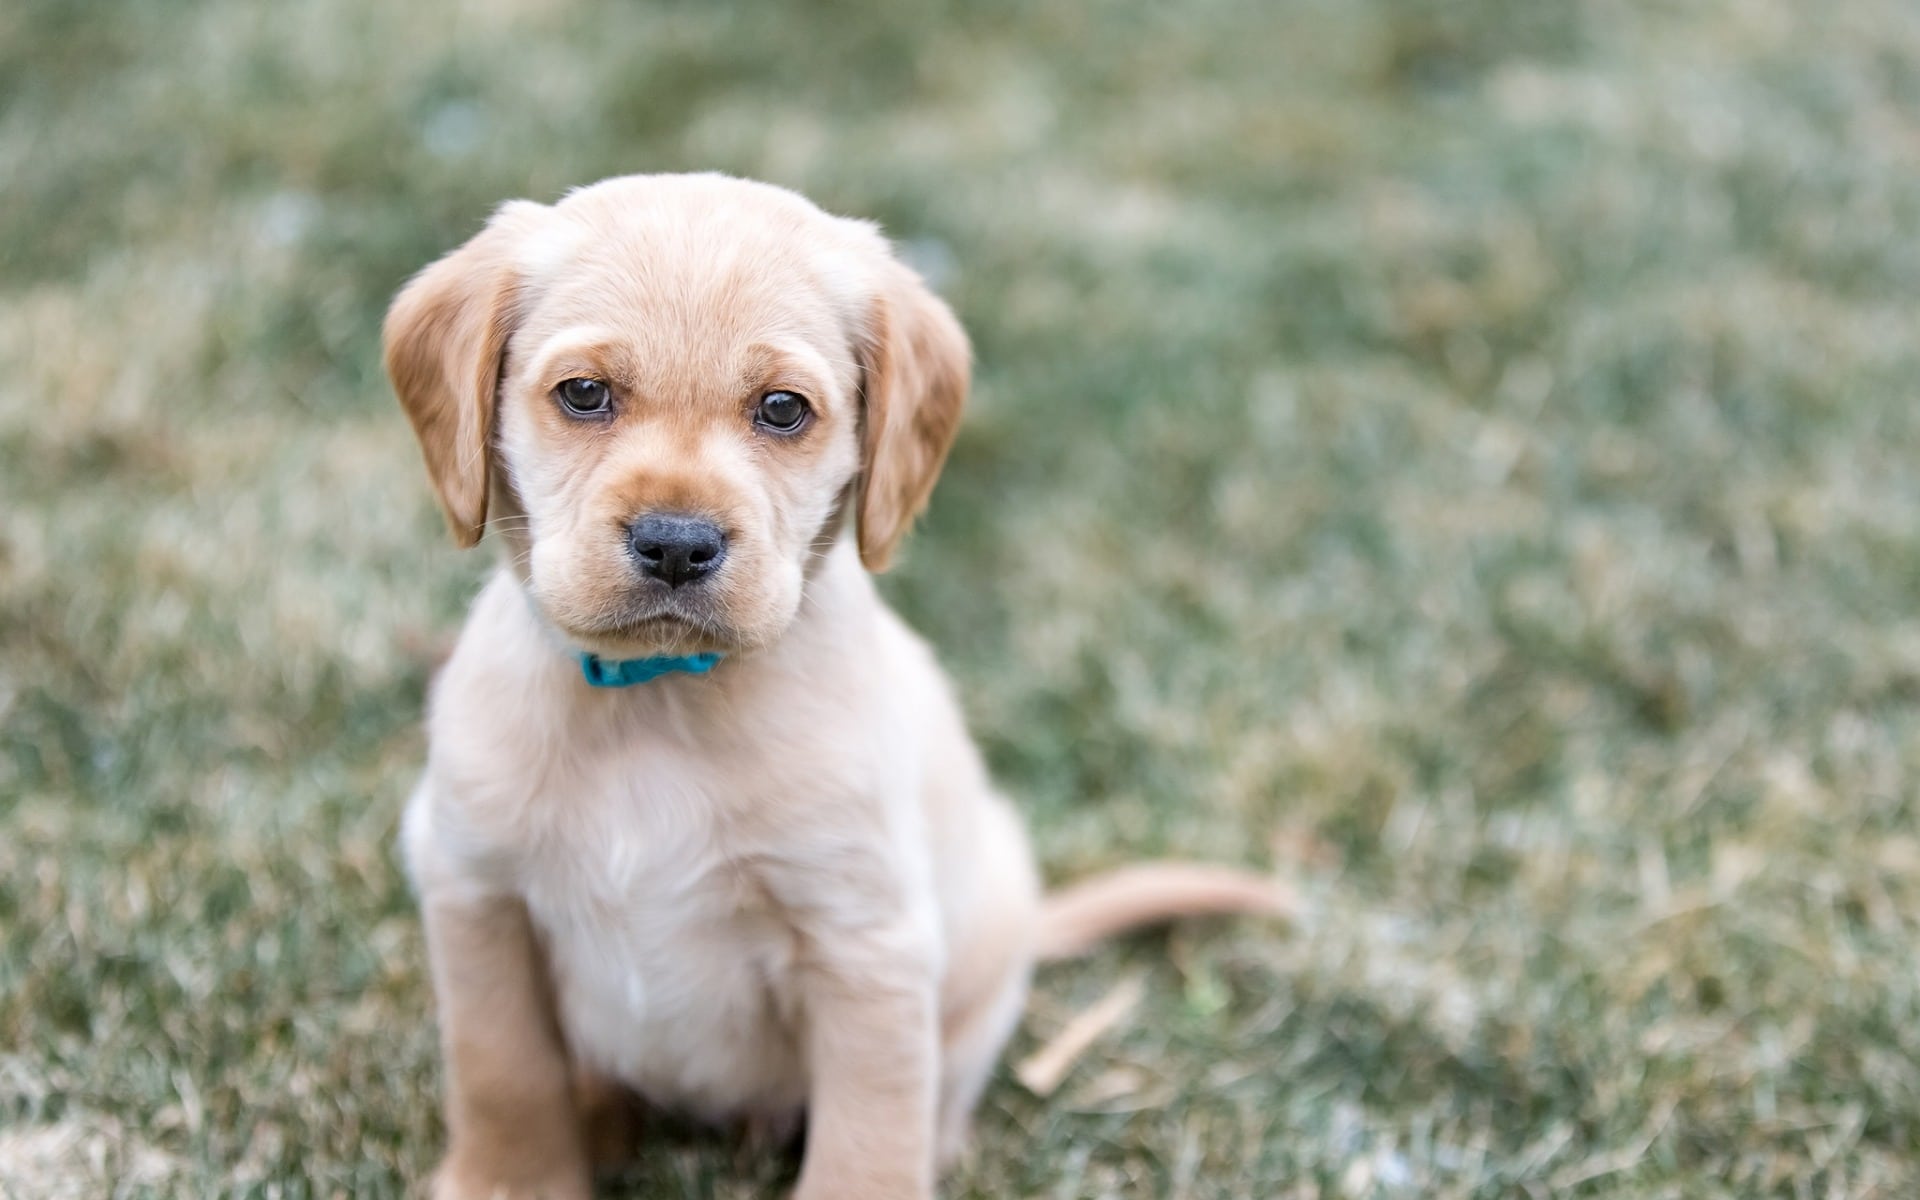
(873, 1040)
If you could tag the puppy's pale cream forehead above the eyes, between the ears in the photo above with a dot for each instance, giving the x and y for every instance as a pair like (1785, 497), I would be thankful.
(688, 293)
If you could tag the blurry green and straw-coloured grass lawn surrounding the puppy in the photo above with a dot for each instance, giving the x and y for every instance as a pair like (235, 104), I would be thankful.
(1458, 452)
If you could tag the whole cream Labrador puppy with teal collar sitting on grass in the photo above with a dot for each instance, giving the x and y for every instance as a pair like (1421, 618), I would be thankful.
(702, 819)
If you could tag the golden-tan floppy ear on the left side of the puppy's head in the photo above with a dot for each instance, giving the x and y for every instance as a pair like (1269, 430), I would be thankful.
(444, 343)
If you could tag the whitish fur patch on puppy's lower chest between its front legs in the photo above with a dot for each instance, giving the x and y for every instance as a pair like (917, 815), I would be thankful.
(673, 961)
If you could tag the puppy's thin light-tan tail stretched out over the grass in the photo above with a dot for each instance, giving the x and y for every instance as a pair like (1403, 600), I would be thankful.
(1080, 917)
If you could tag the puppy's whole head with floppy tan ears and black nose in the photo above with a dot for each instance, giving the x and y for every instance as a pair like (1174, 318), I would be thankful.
(667, 393)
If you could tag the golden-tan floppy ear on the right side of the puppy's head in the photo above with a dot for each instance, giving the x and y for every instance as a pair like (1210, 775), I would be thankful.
(917, 364)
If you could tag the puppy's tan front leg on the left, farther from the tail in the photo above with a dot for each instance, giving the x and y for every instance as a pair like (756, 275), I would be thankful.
(510, 1103)
